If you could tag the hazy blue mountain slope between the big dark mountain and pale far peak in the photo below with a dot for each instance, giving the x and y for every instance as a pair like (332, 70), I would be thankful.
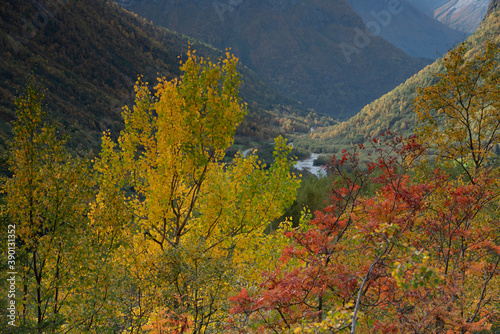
(407, 27)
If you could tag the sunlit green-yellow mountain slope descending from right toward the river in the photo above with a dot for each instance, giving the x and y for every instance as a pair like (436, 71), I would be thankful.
(393, 110)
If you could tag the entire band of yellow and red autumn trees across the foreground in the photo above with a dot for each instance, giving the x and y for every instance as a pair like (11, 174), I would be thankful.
(161, 234)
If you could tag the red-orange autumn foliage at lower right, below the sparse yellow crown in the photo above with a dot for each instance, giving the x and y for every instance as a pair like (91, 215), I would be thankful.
(402, 248)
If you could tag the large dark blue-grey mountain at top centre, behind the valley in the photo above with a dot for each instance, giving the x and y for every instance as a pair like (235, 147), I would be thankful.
(315, 51)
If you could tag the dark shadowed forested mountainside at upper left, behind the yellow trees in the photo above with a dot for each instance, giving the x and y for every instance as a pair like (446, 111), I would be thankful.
(87, 55)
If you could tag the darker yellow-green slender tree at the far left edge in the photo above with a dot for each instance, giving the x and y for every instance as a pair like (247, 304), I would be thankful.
(46, 199)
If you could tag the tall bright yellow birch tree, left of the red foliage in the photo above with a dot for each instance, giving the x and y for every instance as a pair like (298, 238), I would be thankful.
(196, 227)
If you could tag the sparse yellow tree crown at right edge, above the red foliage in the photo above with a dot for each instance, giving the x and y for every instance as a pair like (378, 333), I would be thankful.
(460, 113)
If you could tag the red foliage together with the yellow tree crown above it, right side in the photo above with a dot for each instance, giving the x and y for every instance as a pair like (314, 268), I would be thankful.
(407, 243)
